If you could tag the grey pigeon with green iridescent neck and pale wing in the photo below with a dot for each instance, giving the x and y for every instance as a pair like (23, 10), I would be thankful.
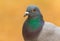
(36, 29)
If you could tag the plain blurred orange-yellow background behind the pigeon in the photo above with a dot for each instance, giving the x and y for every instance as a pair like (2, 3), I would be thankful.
(11, 16)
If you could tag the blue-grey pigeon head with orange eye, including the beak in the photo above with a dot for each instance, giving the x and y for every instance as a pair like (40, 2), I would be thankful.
(32, 11)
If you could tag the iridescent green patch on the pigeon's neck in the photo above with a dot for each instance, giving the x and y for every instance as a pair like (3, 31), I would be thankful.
(35, 23)
